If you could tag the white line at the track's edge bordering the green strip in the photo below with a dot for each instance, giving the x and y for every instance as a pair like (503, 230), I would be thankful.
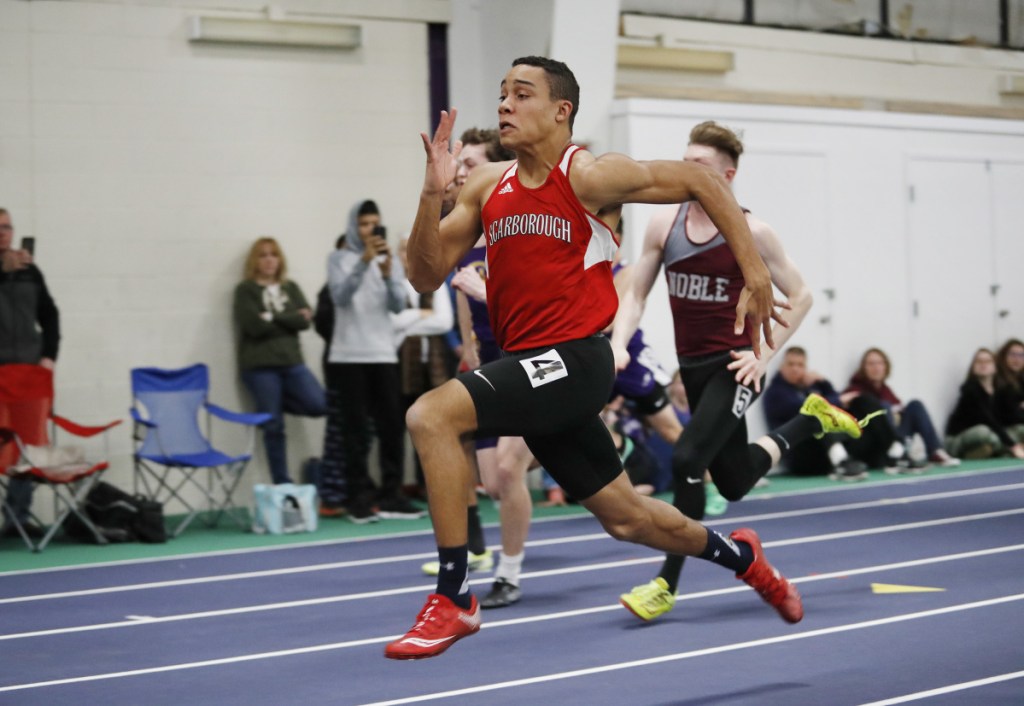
(541, 521)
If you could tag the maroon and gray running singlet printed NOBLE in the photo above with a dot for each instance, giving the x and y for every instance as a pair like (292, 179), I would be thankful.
(705, 282)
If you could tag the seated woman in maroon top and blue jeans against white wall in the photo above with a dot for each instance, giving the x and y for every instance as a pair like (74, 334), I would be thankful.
(907, 421)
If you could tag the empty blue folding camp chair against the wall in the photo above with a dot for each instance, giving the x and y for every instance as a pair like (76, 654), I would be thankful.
(174, 455)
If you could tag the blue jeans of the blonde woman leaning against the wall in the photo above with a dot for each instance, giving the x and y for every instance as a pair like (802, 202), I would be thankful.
(277, 391)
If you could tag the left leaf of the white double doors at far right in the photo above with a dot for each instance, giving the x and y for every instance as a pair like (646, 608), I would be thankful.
(951, 271)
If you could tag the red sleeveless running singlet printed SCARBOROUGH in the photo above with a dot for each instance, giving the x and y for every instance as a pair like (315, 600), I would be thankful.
(549, 263)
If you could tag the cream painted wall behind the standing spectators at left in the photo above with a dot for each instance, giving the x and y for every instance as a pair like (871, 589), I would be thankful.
(146, 167)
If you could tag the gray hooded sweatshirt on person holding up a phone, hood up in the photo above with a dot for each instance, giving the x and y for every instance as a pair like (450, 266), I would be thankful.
(363, 330)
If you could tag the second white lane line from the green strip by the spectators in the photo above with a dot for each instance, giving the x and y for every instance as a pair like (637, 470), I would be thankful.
(732, 522)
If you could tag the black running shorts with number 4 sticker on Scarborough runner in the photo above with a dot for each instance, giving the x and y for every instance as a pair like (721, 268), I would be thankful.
(553, 397)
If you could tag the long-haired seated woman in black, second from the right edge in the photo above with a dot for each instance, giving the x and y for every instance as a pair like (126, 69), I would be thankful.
(973, 431)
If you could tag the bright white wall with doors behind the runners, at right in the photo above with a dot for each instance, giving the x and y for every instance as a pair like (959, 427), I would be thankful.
(836, 185)
